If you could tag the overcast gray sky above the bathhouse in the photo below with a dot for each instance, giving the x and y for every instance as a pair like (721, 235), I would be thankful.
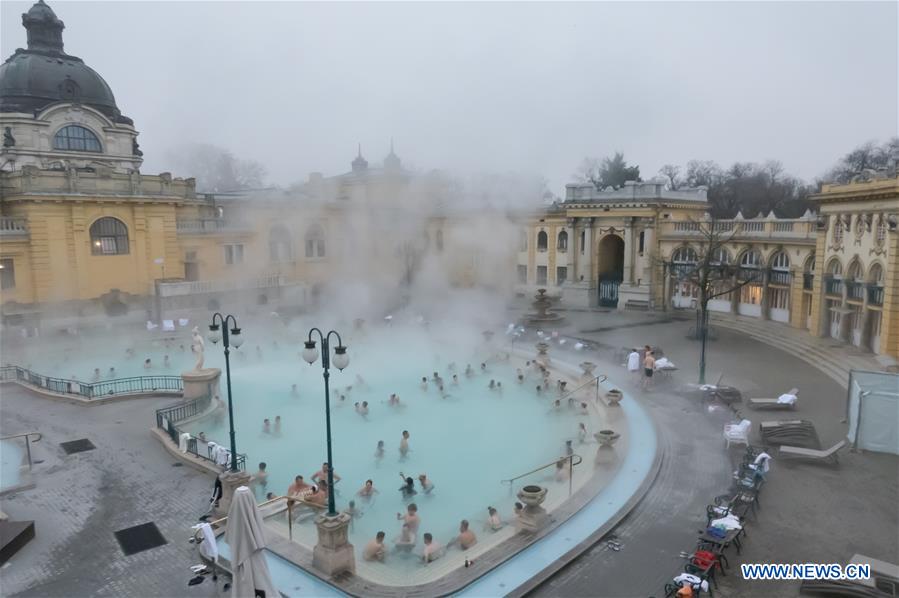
(531, 87)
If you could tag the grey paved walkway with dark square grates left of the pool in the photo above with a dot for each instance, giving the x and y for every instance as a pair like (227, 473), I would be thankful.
(81, 499)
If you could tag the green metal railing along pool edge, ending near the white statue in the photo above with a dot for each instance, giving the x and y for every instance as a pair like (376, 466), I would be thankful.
(93, 390)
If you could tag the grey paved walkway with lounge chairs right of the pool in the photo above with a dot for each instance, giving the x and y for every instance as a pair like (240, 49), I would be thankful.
(810, 513)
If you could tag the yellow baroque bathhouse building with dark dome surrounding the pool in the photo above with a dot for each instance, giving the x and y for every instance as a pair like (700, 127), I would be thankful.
(84, 234)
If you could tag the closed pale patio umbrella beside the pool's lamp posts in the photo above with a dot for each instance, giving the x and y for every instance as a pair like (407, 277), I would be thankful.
(245, 535)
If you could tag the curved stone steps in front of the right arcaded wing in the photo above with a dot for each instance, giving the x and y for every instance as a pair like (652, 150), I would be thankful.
(830, 356)
